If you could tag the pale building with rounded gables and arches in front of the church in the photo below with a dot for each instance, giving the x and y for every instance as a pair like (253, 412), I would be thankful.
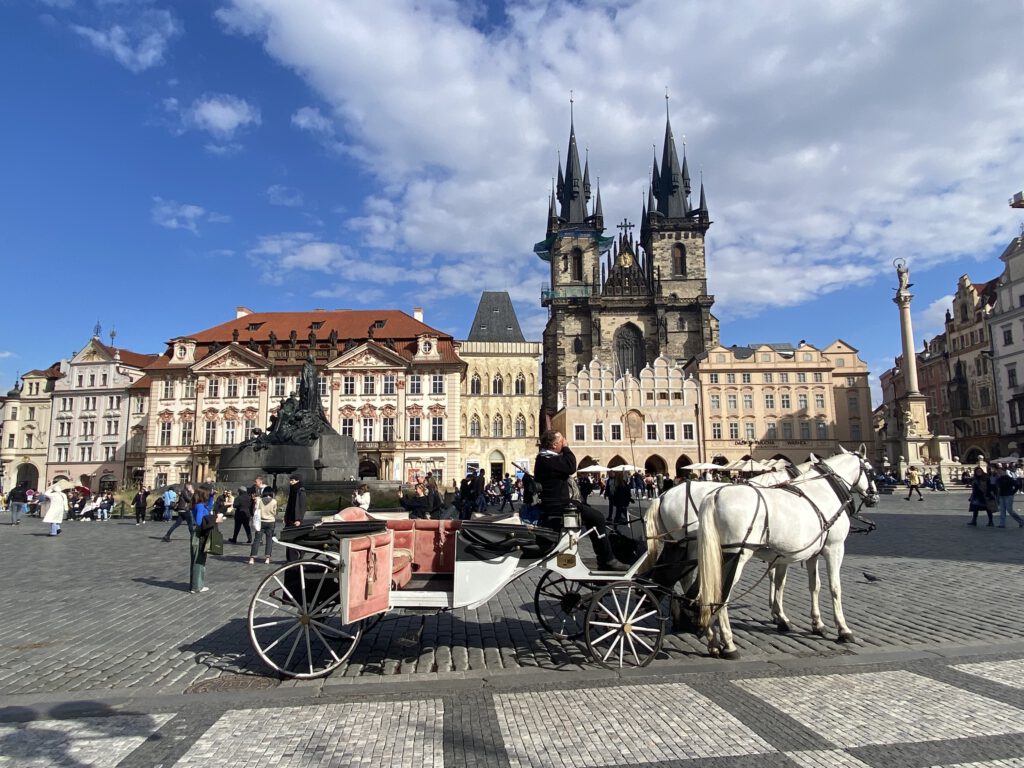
(648, 421)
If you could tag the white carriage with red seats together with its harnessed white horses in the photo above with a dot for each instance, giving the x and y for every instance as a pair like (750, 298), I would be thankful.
(308, 617)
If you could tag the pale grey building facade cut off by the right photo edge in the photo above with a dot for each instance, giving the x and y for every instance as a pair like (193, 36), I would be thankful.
(1006, 325)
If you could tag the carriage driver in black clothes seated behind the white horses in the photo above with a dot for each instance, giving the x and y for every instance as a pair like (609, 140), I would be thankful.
(552, 470)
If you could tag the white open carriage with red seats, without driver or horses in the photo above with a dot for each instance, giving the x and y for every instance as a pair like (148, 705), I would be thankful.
(308, 618)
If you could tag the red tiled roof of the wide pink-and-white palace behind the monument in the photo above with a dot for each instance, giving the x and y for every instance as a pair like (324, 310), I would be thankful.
(354, 325)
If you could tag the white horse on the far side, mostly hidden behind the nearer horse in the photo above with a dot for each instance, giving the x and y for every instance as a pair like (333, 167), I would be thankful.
(672, 525)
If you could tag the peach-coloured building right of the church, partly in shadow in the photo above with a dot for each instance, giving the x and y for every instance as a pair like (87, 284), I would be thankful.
(778, 401)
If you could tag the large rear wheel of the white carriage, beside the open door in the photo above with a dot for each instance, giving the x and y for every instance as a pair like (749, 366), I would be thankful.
(295, 621)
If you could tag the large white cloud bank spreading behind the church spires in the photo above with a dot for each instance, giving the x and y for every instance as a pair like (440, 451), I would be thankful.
(834, 136)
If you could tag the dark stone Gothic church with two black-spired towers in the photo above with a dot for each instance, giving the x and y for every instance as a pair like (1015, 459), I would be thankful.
(617, 301)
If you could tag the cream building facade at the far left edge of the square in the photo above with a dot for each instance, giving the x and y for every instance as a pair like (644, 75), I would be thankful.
(26, 426)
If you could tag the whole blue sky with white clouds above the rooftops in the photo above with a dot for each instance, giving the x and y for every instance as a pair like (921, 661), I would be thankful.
(167, 162)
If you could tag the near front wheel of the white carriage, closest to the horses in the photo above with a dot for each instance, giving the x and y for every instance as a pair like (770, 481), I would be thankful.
(625, 626)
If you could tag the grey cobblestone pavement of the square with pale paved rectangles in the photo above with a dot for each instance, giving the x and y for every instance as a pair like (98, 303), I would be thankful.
(100, 635)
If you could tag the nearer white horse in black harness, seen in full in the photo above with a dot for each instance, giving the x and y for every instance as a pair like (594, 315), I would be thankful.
(807, 518)
